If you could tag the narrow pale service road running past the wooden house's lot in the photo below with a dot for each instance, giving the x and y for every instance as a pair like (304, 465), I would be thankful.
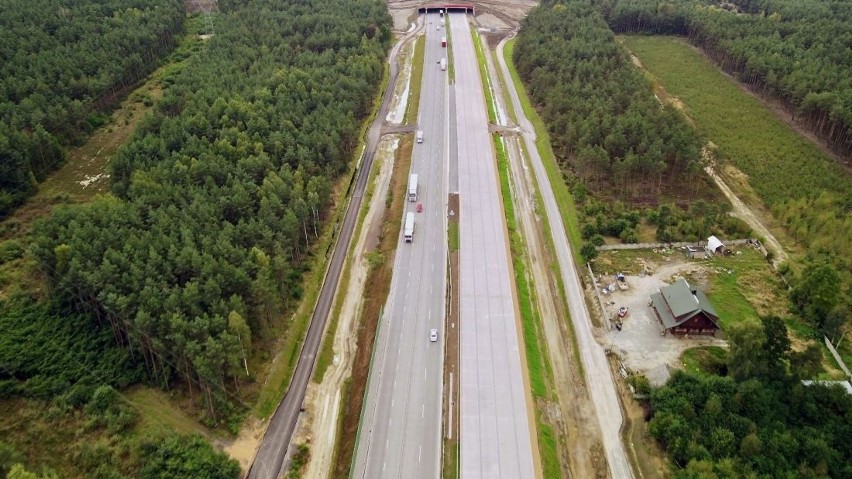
(599, 378)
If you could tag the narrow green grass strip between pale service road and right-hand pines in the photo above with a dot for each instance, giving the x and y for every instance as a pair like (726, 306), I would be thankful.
(560, 189)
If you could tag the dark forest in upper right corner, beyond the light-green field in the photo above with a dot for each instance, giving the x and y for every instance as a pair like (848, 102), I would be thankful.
(794, 50)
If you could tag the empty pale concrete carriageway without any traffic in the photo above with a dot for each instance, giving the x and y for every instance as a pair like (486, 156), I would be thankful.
(495, 430)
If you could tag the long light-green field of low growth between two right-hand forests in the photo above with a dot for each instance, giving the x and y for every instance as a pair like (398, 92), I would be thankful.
(785, 169)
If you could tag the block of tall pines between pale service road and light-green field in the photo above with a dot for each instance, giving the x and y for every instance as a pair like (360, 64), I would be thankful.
(604, 121)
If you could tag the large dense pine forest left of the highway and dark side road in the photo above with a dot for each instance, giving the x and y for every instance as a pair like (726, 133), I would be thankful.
(221, 192)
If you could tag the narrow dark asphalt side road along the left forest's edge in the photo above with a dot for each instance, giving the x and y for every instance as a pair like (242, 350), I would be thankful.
(270, 456)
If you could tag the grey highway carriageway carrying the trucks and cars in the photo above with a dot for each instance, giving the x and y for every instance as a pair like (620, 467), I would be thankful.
(400, 431)
